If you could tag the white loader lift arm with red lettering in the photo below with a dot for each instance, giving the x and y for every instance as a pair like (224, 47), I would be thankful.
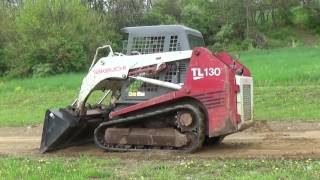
(117, 67)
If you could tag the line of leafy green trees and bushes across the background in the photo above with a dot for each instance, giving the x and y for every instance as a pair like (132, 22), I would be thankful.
(44, 37)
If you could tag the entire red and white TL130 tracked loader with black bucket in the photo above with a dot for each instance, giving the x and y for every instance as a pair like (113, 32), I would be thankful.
(165, 91)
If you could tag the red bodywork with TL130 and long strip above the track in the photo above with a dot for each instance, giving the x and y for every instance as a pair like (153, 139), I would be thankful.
(210, 80)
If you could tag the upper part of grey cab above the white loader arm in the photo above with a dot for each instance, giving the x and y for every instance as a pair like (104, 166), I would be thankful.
(161, 38)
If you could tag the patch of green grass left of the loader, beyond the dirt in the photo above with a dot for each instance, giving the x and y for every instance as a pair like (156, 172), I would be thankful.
(24, 101)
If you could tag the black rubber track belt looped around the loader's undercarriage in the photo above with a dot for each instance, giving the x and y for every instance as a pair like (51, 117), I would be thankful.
(194, 109)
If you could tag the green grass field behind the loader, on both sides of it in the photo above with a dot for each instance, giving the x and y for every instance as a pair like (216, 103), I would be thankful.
(286, 86)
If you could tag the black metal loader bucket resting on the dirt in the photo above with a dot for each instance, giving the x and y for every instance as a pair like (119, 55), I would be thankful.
(62, 129)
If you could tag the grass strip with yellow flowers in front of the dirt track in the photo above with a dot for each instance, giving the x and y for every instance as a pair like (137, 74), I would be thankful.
(92, 168)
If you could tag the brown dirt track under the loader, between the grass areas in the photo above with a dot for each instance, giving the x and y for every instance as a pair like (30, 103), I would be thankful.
(265, 140)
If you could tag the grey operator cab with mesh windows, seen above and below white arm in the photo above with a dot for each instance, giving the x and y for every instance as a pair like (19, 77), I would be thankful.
(156, 39)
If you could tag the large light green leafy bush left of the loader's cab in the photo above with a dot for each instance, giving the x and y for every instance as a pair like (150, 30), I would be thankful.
(56, 36)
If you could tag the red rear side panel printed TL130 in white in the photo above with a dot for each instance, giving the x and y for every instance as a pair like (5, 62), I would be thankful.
(212, 82)
